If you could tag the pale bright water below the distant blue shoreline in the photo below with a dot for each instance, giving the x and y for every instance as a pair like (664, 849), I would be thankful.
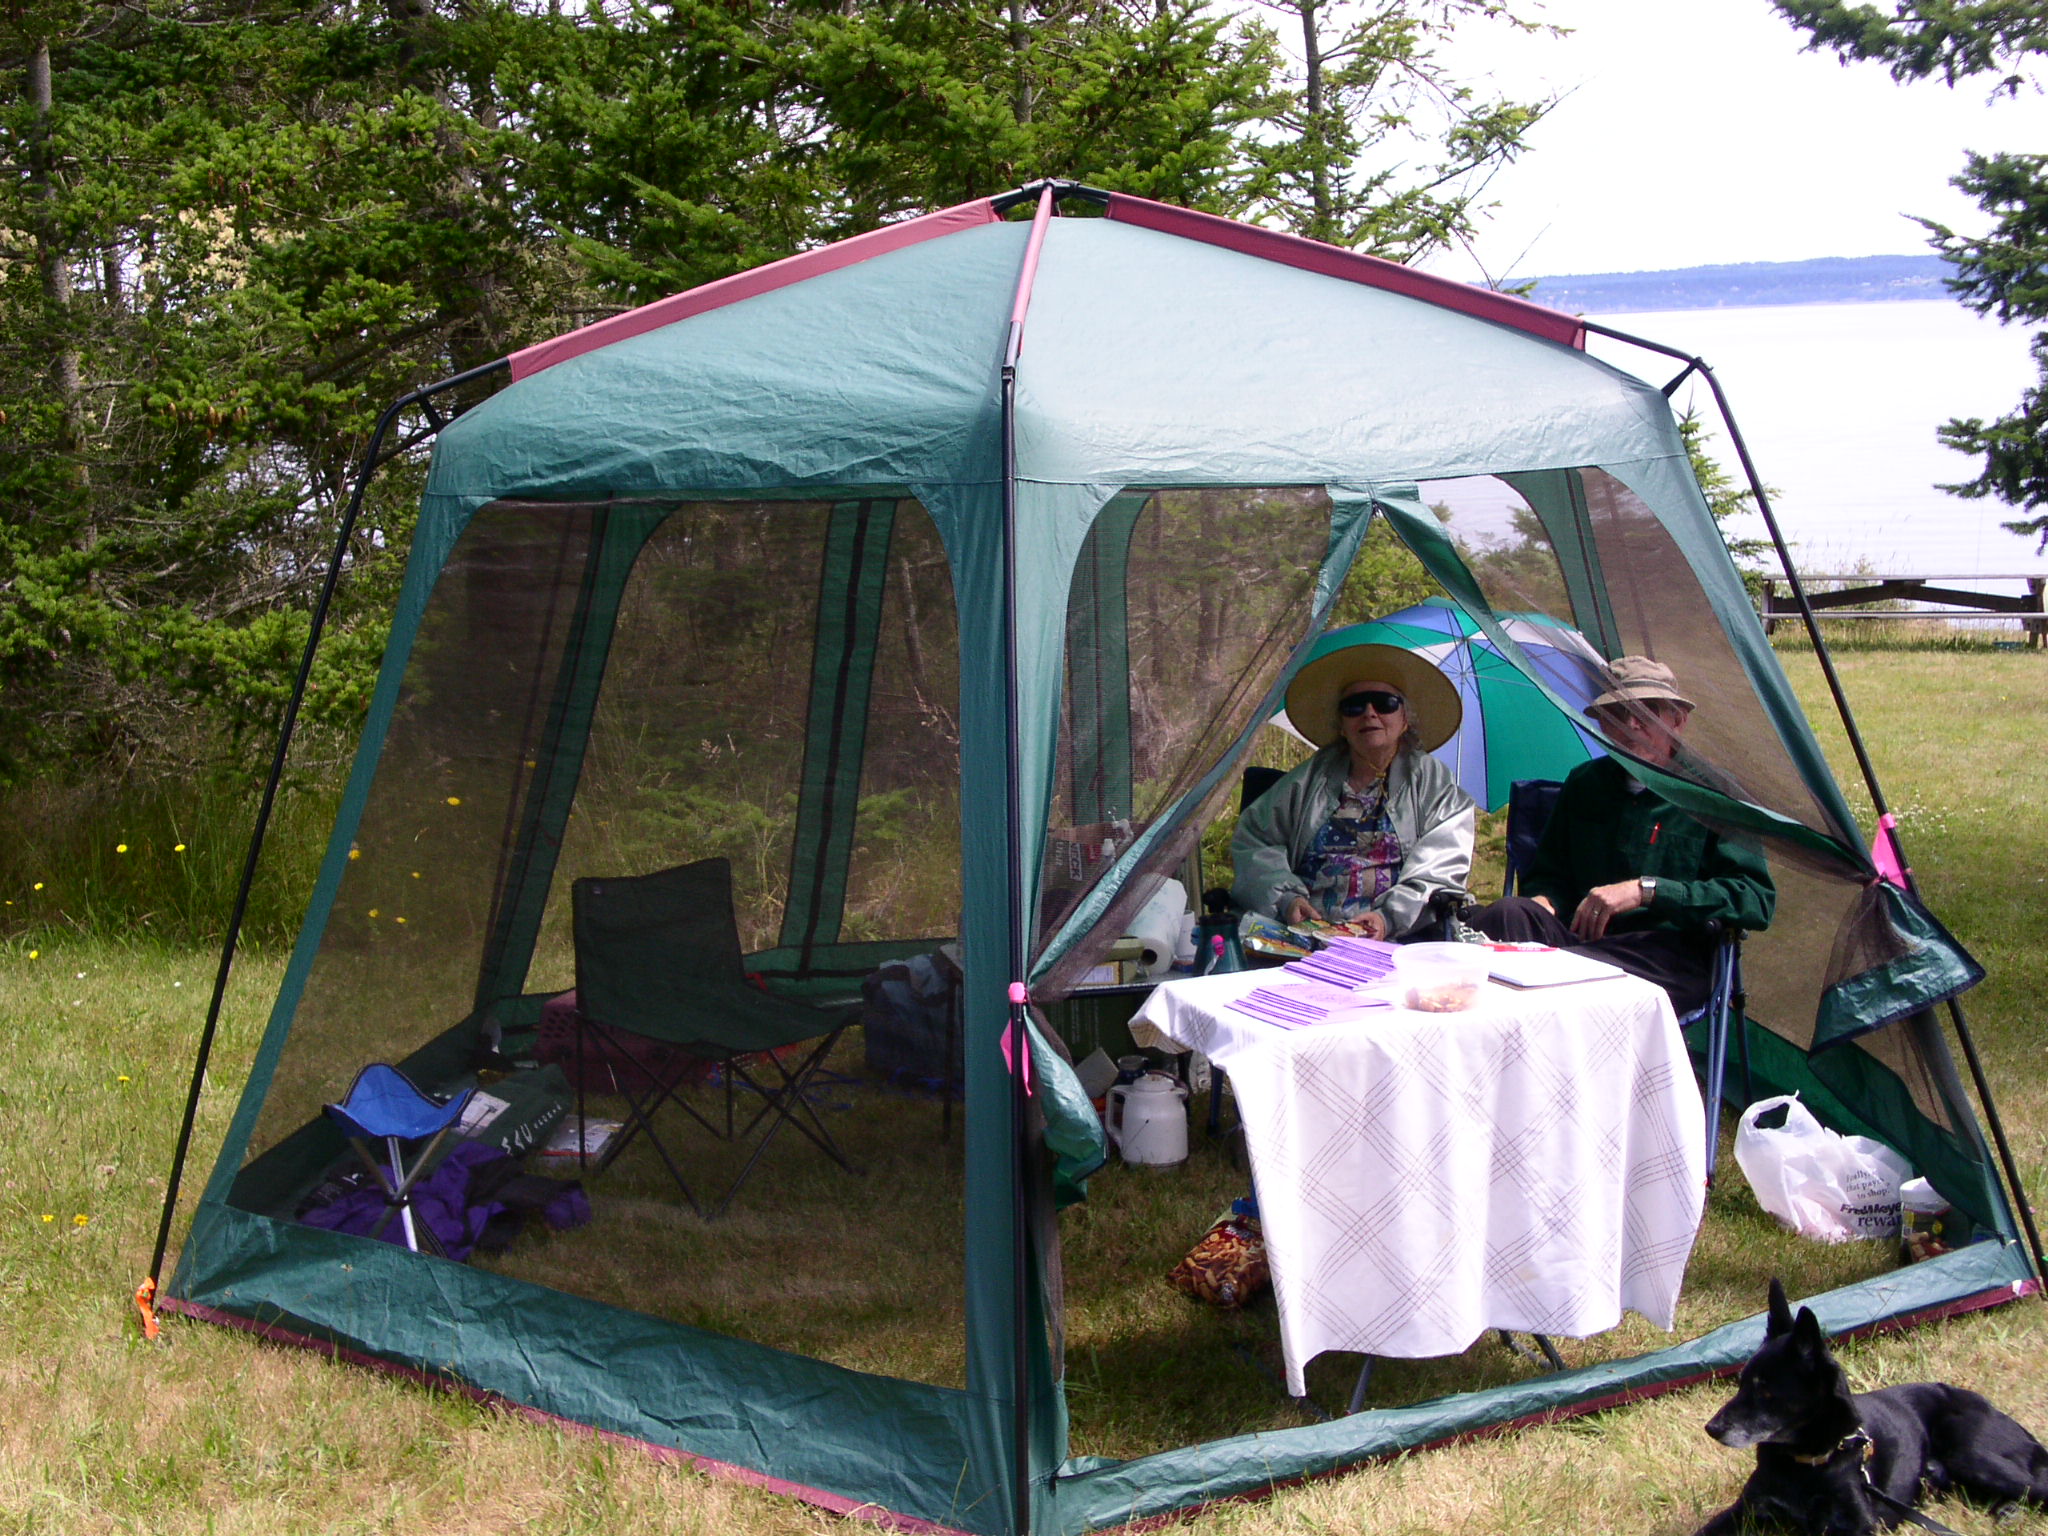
(1840, 407)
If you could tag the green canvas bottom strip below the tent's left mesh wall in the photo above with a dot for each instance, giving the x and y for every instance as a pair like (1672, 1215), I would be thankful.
(871, 1439)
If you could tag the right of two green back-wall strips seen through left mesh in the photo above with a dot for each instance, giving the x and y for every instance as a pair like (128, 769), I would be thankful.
(851, 585)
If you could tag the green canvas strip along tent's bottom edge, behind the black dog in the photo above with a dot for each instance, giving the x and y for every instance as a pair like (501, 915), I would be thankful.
(1095, 1496)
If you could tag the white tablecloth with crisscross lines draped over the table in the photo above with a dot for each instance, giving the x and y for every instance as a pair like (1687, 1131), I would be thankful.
(1535, 1162)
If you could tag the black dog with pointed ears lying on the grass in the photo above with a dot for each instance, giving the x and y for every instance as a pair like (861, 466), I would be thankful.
(1852, 1463)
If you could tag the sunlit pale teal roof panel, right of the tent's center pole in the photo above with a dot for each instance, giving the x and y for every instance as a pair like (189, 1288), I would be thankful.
(1148, 361)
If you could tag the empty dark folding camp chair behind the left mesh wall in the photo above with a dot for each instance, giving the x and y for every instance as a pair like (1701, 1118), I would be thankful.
(658, 957)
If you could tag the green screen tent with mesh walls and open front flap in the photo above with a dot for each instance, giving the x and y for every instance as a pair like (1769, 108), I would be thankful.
(941, 581)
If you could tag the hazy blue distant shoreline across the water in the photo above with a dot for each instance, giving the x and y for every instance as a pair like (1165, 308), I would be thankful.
(1746, 286)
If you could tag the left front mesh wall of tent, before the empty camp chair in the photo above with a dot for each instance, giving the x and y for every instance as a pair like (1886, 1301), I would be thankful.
(763, 683)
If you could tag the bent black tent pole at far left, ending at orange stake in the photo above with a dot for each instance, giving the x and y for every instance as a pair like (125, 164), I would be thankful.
(372, 460)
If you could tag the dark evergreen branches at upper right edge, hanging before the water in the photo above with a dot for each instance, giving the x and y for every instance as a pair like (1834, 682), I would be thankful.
(2004, 271)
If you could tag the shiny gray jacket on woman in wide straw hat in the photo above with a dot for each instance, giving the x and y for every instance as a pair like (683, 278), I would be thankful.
(1431, 814)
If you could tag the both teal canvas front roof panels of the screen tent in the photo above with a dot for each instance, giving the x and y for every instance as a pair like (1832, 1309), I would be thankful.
(1150, 357)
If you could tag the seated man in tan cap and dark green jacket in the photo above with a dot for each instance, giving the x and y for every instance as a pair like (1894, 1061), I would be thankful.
(1623, 873)
